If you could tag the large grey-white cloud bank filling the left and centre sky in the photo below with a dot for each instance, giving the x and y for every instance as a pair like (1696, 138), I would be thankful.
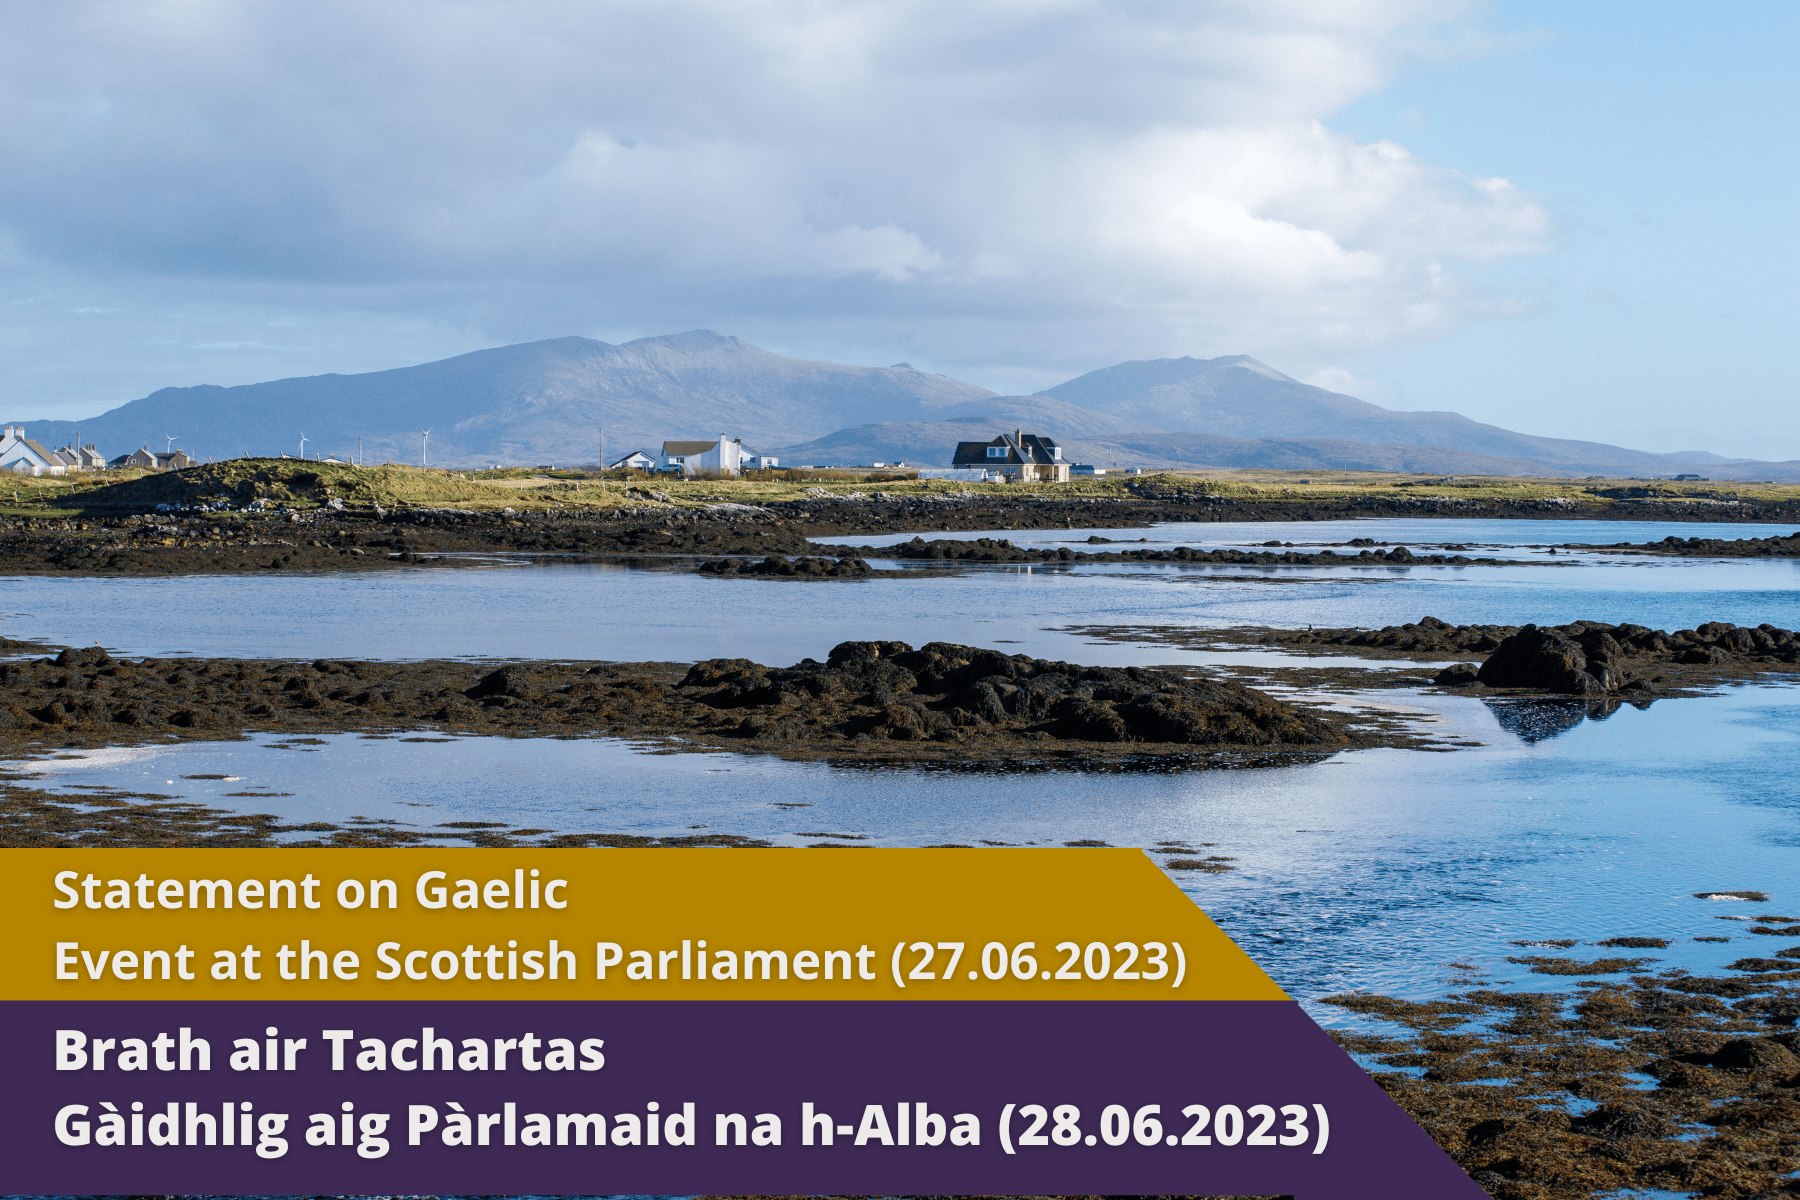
(1020, 188)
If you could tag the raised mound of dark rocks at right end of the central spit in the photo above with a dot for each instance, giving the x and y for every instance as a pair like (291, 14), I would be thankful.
(944, 692)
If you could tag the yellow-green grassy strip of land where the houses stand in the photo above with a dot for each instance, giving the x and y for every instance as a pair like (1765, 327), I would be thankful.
(301, 485)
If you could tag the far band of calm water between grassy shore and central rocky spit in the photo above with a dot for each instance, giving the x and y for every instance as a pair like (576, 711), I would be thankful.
(611, 613)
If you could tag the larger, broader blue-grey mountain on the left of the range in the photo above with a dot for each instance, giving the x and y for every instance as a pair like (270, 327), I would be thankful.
(539, 402)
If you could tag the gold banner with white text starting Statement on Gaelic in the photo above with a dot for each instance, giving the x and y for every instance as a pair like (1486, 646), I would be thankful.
(611, 924)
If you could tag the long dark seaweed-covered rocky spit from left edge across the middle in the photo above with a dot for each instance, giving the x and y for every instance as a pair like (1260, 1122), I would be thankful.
(881, 701)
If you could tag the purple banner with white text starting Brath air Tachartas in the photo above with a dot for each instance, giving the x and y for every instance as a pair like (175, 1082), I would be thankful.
(1207, 1097)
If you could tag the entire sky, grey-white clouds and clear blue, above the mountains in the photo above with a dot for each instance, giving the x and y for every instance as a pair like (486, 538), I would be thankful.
(1569, 220)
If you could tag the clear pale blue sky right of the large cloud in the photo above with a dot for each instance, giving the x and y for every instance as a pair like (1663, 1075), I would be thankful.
(1662, 141)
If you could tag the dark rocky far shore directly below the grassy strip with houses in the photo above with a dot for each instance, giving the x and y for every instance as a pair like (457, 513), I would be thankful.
(109, 542)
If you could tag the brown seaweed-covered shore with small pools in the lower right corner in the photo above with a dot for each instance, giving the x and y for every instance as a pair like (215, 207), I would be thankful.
(1637, 1084)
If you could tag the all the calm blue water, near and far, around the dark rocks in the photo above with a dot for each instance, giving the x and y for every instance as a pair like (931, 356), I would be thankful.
(1371, 870)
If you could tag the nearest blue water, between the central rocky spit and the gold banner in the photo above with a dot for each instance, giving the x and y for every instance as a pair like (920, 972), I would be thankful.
(1371, 870)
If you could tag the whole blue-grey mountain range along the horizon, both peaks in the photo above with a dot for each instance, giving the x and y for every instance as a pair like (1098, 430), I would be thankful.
(548, 402)
